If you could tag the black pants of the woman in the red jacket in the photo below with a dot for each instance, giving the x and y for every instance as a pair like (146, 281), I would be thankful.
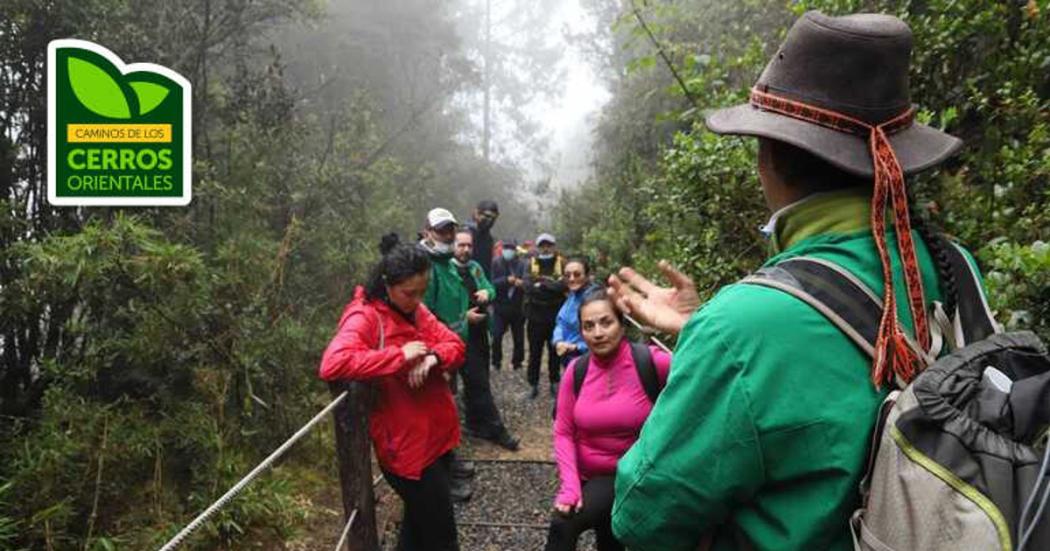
(429, 522)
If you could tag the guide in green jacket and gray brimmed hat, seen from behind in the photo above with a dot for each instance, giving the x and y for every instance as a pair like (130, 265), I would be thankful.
(760, 439)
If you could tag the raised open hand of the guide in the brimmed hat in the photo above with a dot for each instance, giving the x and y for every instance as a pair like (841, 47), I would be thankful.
(666, 309)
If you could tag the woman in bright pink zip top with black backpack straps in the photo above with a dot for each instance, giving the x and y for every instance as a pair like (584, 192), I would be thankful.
(598, 423)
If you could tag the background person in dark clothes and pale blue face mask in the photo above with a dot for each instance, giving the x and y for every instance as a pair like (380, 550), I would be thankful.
(509, 278)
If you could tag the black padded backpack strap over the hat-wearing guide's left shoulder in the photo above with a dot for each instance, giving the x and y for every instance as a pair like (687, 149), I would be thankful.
(833, 291)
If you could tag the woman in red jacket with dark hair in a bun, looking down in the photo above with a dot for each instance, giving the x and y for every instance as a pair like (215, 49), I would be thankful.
(387, 336)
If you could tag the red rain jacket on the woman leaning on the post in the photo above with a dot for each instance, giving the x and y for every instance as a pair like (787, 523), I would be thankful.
(410, 428)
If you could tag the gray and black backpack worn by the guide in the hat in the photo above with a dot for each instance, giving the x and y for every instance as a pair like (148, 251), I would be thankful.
(955, 461)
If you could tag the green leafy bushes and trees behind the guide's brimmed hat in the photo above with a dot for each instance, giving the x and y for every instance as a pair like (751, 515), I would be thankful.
(667, 188)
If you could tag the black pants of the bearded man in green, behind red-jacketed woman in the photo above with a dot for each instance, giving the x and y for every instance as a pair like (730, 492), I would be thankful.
(482, 416)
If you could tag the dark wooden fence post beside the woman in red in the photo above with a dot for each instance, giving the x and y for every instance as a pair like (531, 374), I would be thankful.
(353, 450)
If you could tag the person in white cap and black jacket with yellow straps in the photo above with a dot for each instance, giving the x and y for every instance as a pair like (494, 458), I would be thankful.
(544, 294)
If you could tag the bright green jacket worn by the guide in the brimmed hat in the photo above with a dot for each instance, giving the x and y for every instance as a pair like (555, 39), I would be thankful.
(763, 430)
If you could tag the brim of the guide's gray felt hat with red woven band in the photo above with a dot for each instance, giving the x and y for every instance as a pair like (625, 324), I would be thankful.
(918, 149)
